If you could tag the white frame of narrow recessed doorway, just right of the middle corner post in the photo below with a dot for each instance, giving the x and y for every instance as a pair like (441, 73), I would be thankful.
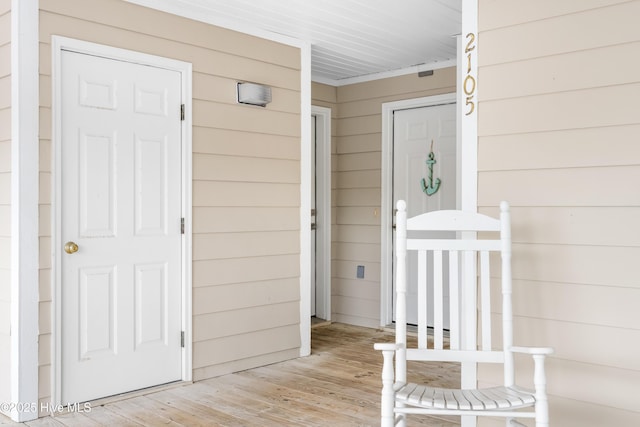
(323, 210)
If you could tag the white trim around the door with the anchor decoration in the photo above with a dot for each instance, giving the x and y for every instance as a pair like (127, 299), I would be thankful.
(386, 204)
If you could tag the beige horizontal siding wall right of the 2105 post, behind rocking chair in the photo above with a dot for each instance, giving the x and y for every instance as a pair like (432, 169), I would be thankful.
(558, 138)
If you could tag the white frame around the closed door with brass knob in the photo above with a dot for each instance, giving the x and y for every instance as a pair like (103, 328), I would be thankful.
(60, 44)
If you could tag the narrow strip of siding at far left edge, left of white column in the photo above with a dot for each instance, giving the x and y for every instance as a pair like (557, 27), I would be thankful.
(5, 201)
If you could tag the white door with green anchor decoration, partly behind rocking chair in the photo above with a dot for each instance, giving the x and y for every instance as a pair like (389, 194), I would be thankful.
(425, 183)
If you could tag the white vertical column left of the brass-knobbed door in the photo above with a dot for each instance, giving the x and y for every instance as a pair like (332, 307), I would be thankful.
(24, 209)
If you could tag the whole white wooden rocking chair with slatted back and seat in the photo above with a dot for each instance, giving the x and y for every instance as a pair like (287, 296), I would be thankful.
(401, 397)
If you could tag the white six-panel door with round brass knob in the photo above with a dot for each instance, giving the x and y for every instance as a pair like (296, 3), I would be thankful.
(121, 210)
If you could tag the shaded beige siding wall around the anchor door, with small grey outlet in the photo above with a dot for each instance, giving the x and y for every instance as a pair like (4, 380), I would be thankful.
(358, 191)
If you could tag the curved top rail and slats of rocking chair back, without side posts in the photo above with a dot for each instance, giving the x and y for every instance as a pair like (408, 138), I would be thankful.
(439, 265)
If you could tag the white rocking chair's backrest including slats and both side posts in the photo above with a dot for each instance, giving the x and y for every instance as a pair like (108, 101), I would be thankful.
(463, 266)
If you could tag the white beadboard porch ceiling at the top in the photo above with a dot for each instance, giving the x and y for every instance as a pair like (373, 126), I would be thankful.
(351, 40)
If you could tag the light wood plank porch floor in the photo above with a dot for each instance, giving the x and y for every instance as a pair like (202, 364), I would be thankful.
(338, 385)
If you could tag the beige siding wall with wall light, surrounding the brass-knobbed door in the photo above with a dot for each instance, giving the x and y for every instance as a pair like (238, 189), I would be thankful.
(246, 179)
